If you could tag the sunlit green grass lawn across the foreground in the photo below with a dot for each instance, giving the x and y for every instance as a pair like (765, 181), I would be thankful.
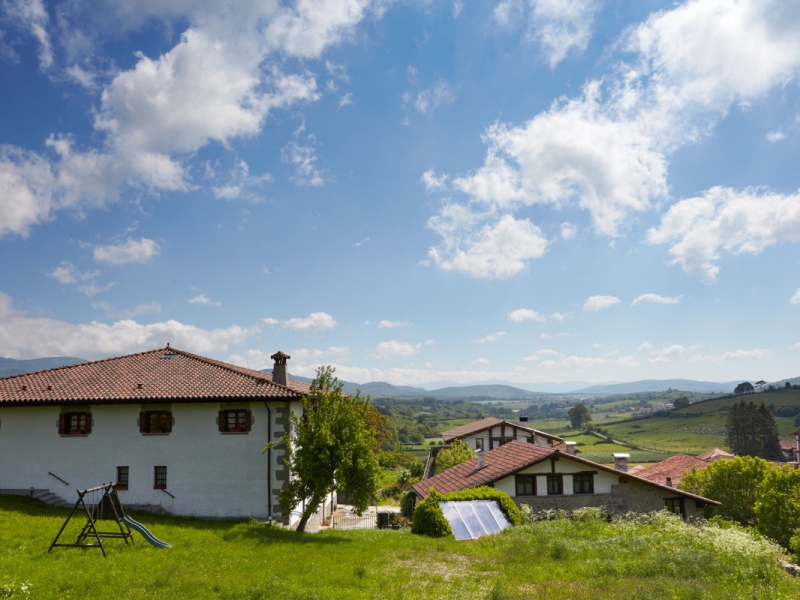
(579, 560)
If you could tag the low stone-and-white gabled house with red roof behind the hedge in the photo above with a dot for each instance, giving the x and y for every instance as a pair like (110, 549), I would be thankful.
(549, 478)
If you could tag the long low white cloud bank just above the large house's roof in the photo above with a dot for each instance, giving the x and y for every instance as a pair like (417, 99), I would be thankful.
(29, 337)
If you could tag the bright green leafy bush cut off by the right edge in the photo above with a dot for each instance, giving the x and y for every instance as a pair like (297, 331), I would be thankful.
(778, 506)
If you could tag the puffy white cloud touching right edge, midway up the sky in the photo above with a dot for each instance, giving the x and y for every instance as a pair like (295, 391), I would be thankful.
(725, 220)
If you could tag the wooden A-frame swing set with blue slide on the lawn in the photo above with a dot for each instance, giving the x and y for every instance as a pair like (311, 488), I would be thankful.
(102, 503)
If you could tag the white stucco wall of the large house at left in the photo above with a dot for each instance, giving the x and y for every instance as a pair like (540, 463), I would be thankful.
(211, 474)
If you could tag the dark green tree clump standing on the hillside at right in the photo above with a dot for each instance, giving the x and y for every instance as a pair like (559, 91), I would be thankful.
(752, 431)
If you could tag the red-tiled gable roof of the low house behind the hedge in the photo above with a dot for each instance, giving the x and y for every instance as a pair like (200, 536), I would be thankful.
(511, 458)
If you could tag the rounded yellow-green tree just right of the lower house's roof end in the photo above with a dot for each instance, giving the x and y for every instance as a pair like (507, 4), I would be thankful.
(733, 482)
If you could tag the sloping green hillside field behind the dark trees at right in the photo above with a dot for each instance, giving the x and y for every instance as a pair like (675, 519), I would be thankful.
(703, 427)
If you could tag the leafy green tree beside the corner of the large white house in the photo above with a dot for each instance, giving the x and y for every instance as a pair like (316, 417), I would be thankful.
(333, 447)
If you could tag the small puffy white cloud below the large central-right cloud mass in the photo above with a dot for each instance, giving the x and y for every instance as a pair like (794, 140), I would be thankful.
(497, 249)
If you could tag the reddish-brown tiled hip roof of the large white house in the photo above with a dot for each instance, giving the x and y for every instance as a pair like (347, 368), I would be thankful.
(166, 374)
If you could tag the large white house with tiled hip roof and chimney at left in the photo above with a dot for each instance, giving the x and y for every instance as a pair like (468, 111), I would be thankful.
(176, 431)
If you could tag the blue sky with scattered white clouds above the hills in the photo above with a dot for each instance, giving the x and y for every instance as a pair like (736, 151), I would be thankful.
(418, 192)
